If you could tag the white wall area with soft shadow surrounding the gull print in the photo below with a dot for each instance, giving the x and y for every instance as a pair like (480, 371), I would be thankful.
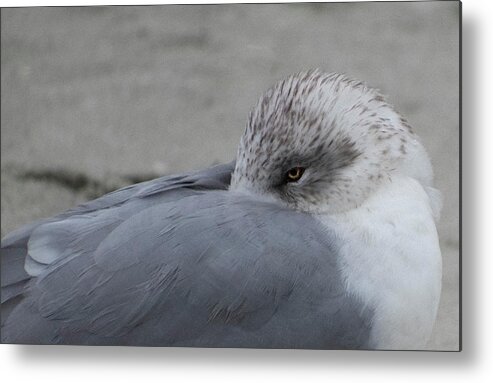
(474, 364)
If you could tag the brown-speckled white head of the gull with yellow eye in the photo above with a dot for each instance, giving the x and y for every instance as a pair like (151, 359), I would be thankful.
(344, 135)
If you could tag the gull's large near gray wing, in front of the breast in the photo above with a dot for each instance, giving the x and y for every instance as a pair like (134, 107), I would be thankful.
(215, 269)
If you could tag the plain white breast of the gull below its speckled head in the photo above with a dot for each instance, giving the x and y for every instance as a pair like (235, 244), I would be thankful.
(391, 260)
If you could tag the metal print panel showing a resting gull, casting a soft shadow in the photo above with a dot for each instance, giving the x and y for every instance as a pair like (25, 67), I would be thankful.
(262, 176)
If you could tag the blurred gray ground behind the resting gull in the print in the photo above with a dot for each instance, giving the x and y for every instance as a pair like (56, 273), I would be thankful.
(94, 98)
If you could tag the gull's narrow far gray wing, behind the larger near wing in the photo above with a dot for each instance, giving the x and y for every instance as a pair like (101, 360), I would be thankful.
(90, 222)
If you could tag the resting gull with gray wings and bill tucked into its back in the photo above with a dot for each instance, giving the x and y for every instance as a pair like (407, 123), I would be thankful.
(320, 234)
